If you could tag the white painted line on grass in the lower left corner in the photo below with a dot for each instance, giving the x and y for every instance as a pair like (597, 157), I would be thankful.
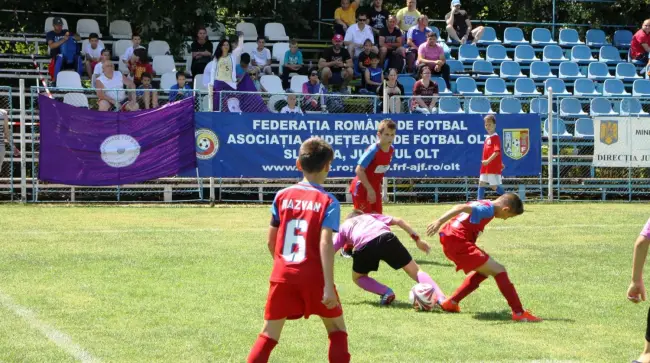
(57, 337)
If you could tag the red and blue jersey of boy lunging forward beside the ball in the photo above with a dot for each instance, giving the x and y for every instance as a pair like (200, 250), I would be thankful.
(469, 226)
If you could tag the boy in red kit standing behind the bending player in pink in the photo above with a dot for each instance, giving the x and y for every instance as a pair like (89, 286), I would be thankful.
(373, 164)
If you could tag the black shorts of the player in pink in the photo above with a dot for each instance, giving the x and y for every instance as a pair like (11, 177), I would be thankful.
(387, 248)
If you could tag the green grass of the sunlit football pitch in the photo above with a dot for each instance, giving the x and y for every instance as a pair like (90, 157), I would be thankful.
(172, 284)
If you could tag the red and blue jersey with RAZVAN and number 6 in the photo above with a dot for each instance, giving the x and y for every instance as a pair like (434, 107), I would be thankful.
(300, 212)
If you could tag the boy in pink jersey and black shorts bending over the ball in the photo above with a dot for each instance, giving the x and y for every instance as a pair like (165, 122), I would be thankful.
(372, 241)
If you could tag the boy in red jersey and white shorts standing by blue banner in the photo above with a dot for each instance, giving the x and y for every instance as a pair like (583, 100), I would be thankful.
(491, 163)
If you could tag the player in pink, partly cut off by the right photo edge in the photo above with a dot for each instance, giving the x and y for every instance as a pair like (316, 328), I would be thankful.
(636, 292)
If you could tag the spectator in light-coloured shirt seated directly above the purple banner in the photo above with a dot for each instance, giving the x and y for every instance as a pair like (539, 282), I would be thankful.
(110, 90)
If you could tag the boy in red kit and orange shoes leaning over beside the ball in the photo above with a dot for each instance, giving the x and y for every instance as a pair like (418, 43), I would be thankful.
(458, 239)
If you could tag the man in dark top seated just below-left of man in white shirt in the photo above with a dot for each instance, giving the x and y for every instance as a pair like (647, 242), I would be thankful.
(336, 64)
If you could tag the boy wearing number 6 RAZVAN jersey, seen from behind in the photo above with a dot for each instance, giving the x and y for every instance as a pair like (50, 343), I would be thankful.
(304, 216)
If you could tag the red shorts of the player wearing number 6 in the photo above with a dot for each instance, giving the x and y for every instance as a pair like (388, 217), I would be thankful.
(288, 301)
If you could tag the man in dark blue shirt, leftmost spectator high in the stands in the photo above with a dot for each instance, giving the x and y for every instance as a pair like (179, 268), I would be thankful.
(63, 49)
